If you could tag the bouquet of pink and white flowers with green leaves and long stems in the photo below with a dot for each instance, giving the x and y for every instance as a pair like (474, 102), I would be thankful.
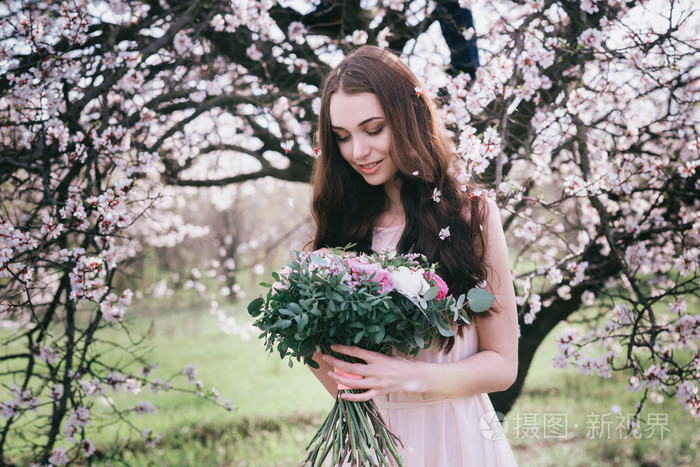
(379, 302)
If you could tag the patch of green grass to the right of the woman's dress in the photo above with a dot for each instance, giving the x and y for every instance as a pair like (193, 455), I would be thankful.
(586, 404)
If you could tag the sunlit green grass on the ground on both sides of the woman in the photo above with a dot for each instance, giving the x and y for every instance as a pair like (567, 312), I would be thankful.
(277, 408)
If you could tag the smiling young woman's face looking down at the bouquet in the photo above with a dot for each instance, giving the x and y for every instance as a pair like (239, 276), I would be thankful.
(363, 135)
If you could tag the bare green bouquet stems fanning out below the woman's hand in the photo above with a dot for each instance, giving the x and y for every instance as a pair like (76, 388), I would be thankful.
(353, 433)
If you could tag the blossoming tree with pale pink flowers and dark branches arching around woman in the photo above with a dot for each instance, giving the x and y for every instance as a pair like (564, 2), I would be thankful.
(581, 120)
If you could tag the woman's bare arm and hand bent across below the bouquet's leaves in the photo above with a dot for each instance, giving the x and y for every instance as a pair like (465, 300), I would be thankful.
(493, 368)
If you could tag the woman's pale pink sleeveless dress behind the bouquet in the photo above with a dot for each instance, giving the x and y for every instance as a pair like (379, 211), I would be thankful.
(446, 432)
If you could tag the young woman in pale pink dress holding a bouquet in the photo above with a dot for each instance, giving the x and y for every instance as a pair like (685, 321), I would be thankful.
(382, 182)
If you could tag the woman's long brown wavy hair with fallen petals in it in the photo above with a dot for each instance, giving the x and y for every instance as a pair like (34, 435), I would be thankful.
(346, 207)
